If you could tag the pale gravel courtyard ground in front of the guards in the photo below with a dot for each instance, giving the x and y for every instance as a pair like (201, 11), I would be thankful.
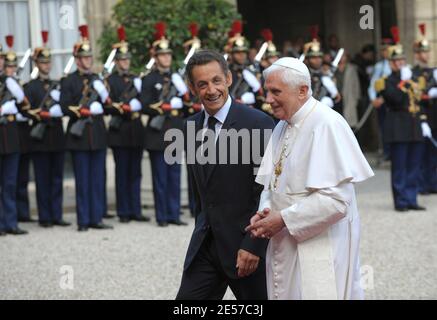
(142, 261)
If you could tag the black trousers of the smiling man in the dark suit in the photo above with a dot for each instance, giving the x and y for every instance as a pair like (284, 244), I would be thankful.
(206, 280)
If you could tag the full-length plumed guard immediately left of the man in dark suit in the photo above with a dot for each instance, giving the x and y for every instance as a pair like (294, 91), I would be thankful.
(162, 97)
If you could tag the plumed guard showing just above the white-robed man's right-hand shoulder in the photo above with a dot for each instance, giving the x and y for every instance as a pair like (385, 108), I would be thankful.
(323, 85)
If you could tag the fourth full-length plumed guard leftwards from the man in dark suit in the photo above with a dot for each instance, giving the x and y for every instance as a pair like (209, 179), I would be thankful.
(47, 138)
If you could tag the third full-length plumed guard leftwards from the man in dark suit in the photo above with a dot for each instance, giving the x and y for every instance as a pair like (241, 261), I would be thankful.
(82, 97)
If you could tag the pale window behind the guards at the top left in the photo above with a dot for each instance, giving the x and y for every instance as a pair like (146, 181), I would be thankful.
(26, 18)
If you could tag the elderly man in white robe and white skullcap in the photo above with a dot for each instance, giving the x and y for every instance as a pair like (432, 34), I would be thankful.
(308, 208)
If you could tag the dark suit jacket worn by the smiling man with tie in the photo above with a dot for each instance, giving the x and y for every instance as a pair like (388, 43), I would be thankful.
(227, 199)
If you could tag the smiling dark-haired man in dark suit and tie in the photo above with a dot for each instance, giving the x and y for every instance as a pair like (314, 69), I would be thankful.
(220, 253)
